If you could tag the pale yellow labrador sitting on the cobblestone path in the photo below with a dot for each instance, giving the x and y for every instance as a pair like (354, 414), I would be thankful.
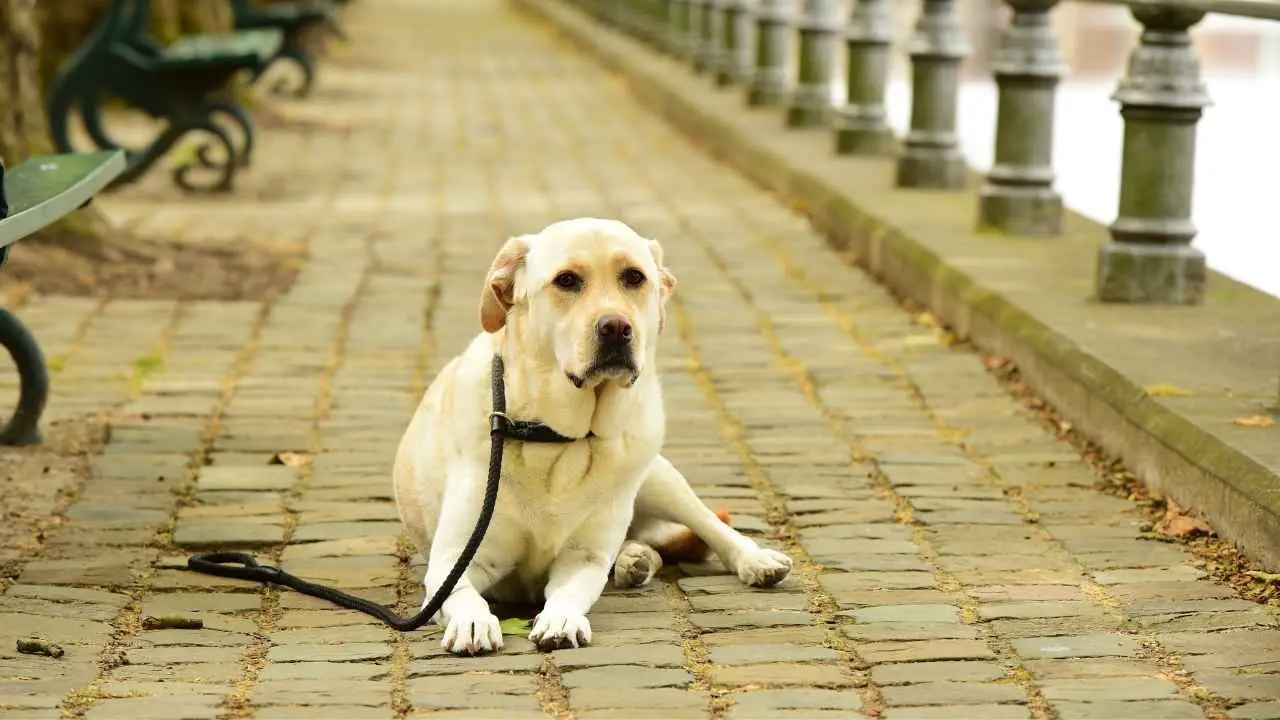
(575, 313)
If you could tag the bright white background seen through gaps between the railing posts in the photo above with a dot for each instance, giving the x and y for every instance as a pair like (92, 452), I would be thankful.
(1238, 145)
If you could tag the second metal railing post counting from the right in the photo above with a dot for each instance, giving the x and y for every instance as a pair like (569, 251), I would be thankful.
(1018, 197)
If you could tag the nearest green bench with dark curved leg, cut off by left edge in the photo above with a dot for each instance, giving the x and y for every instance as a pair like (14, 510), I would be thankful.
(34, 195)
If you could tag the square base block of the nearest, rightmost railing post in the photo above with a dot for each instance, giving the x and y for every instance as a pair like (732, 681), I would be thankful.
(1171, 275)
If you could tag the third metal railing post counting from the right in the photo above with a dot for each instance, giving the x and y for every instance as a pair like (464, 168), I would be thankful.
(931, 157)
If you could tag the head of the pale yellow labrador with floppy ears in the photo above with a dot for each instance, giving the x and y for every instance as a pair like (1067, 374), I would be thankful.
(588, 293)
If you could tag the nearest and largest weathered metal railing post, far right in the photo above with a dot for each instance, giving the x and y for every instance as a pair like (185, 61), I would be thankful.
(1162, 98)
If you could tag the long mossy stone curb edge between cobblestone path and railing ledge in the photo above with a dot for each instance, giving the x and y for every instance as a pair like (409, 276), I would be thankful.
(1237, 493)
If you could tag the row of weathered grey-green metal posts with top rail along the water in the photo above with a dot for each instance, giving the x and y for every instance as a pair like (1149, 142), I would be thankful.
(1162, 97)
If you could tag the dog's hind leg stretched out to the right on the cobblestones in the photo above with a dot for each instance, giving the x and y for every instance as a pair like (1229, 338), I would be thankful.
(666, 496)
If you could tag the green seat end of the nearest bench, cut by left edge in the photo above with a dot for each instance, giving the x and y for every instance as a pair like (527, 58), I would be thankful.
(49, 188)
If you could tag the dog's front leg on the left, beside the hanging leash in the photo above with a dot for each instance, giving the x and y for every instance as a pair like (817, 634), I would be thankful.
(470, 628)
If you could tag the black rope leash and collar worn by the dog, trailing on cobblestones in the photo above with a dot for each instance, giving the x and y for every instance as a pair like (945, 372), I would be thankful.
(502, 429)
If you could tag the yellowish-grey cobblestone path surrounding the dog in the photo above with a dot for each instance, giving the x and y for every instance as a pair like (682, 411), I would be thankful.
(953, 560)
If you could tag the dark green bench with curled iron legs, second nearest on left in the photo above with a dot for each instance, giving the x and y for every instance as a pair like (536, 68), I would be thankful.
(184, 84)
